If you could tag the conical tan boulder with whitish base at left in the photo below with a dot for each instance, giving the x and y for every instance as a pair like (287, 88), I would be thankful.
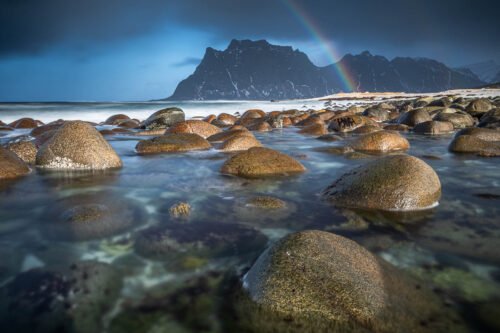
(77, 145)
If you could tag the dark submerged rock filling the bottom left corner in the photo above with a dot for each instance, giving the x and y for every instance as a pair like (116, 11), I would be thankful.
(70, 300)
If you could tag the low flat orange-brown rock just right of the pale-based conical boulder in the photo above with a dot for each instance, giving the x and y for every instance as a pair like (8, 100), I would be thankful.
(173, 142)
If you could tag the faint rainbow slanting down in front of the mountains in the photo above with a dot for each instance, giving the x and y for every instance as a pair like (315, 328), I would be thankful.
(310, 25)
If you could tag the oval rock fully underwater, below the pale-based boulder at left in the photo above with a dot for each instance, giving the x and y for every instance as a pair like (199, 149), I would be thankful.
(90, 216)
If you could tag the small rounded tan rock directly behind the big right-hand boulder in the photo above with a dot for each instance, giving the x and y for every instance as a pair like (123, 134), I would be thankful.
(380, 141)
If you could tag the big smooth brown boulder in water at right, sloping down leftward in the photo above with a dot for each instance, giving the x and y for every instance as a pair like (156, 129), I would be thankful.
(398, 182)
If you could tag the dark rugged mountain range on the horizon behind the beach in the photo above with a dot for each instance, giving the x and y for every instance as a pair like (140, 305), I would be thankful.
(258, 70)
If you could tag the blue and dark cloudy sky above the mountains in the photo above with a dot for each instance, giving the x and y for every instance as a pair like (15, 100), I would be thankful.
(131, 50)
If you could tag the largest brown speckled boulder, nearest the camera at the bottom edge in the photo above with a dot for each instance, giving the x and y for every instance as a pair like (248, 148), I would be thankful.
(314, 281)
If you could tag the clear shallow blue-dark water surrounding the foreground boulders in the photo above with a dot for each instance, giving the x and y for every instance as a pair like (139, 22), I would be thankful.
(453, 247)
